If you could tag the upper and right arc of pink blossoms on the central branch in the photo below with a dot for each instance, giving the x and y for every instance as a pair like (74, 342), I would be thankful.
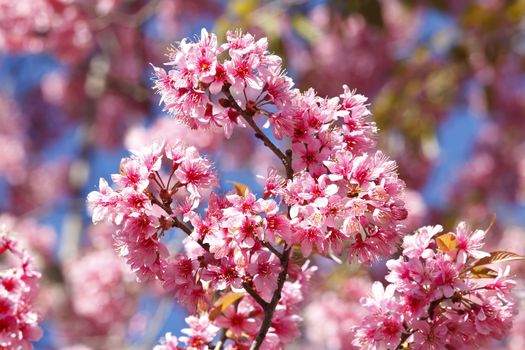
(343, 189)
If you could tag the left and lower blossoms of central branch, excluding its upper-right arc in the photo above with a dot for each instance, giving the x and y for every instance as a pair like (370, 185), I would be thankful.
(228, 271)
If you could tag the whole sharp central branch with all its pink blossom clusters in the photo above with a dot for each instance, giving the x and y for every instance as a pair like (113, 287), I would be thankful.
(337, 196)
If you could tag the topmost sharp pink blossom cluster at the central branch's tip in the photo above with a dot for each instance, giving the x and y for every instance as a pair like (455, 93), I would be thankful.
(193, 91)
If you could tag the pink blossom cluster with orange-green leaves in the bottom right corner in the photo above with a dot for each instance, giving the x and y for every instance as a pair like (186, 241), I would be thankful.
(441, 294)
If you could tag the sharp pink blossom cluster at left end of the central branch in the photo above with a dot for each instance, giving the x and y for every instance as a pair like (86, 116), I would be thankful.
(131, 205)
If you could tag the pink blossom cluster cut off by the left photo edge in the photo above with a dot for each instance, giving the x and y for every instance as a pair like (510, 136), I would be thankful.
(18, 290)
